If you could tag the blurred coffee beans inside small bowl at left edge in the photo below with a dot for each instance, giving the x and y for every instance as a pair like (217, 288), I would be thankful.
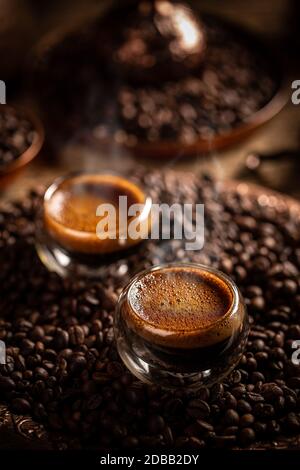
(16, 135)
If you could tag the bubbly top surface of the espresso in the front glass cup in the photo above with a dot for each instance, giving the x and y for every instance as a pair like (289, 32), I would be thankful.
(179, 300)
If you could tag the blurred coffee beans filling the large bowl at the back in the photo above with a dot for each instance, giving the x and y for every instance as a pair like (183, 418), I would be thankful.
(214, 99)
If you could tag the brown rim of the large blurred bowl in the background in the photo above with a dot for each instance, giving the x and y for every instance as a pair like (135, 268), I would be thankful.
(169, 148)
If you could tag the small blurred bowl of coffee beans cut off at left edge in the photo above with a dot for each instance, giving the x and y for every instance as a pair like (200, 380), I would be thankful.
(21, 139)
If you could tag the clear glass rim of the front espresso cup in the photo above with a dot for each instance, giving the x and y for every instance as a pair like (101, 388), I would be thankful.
(236, 296)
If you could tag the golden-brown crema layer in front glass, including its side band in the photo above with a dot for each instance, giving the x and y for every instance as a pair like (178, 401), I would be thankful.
(181, 307)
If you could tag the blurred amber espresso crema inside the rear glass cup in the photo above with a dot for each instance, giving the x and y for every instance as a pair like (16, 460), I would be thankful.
(70, 211)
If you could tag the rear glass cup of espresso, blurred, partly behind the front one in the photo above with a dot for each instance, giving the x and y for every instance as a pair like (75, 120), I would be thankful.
(69, 240)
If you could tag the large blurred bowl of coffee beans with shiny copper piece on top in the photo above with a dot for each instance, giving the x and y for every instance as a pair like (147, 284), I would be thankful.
(156, 80)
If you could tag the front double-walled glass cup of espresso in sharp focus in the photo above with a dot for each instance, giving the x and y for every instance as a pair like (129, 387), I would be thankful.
(181, 325)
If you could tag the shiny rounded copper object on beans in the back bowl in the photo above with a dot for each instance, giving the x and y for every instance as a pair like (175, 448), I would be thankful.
(157, 41)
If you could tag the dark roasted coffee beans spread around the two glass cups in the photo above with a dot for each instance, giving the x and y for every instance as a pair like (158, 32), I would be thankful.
(62, 365)
